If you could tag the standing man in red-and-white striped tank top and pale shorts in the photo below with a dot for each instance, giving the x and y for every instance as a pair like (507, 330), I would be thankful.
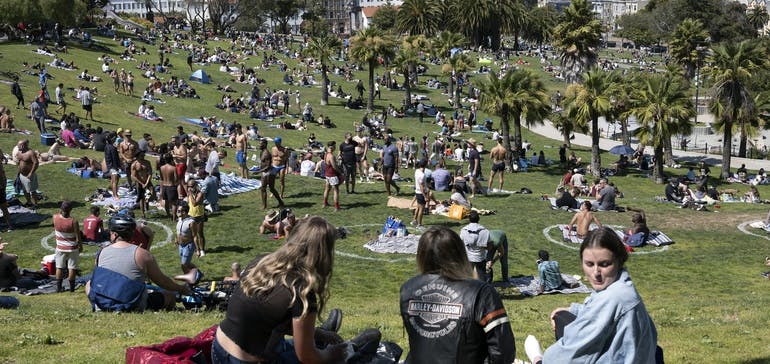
(68, 245)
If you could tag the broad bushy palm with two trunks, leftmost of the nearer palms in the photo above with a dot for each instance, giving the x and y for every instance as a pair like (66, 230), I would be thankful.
(519, 95)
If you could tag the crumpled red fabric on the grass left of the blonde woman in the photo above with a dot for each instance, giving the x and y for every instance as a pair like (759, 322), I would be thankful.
(177, 350)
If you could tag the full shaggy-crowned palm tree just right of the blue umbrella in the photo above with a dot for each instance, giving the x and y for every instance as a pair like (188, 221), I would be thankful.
(661, 103)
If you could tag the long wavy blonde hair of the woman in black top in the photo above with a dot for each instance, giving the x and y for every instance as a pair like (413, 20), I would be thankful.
(303, 264)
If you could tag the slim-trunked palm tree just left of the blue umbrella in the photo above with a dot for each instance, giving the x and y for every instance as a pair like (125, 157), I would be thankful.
(586, 102)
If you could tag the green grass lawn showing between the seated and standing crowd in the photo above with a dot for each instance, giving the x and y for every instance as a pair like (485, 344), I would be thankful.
(704, 293)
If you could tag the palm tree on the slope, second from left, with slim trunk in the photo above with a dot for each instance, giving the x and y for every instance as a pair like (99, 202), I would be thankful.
(367, 47)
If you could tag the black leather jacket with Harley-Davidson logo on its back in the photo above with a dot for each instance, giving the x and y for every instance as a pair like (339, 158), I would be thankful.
(461, 322)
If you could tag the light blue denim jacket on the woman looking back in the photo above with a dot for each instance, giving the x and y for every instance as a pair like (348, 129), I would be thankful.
(612, 326)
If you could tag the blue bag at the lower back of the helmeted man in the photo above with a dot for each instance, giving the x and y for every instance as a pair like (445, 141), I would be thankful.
(112, 291)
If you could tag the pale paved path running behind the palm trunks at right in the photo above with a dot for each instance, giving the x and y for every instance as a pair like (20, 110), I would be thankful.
(548, 130)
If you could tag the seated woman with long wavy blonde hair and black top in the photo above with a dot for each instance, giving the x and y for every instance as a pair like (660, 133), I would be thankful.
(280, 294)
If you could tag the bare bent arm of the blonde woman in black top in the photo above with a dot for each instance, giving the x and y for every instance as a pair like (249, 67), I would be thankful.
(304, 343)
